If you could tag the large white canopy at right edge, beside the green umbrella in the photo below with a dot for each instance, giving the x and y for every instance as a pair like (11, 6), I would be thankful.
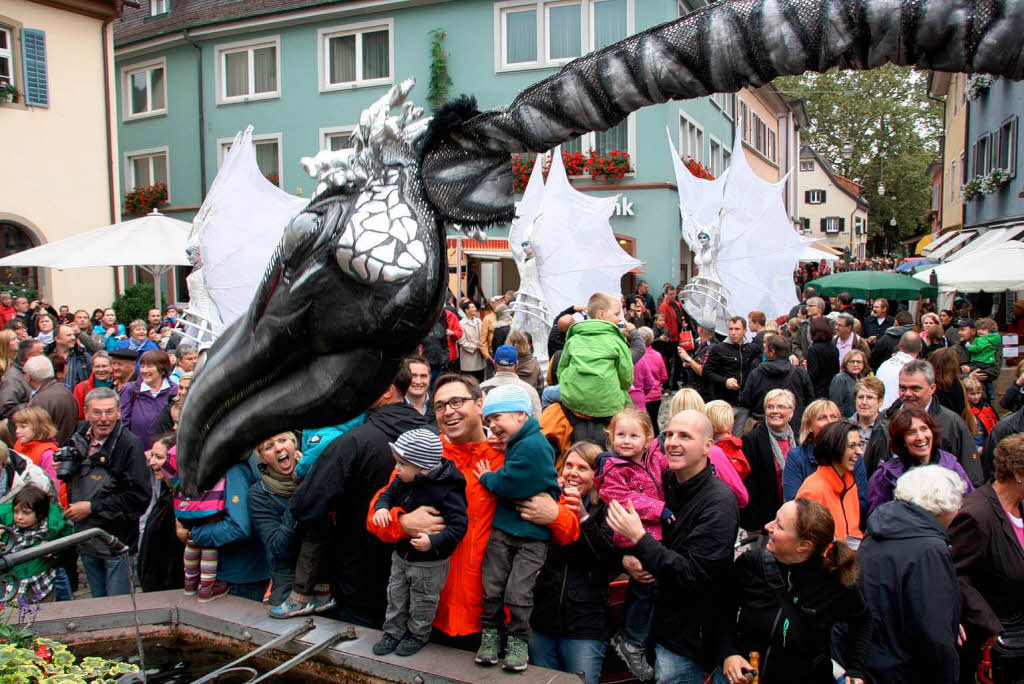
(990, 271)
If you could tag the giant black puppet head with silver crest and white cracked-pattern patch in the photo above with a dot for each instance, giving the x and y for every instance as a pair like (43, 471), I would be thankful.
(357, 280)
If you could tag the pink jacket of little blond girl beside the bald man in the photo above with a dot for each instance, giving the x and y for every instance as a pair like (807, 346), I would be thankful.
(626, 481)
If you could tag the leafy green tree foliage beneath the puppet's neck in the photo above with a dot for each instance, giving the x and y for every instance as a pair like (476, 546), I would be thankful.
(894, 130)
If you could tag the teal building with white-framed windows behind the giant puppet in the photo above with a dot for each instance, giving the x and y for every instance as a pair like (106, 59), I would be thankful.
(195, 72)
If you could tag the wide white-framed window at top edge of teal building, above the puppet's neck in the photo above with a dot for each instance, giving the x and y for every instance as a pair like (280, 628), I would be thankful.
(532, 34)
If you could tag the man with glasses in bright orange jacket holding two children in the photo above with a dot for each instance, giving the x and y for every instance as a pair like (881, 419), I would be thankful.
(458, 406)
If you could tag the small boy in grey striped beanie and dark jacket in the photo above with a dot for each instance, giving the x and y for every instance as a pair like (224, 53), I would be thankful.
(419, 566)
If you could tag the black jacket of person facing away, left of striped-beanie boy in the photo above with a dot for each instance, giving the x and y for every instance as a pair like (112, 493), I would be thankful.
(339, 487)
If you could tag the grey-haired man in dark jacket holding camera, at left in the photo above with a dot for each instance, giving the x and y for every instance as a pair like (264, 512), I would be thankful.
(109, 488)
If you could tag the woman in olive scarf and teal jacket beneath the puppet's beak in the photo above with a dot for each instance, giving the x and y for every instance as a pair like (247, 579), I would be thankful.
(270, 500)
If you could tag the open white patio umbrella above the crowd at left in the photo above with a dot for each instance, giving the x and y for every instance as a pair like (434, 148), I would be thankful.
(154, 243)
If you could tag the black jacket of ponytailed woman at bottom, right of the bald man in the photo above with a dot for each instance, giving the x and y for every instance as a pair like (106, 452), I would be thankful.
(753, 620)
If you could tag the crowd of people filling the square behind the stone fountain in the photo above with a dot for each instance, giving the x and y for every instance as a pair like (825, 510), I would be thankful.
(833, 493)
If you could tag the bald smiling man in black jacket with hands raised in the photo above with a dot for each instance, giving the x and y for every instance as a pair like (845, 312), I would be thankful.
(695, 552)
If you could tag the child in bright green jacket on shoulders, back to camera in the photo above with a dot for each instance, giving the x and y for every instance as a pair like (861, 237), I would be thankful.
(596, 369)
